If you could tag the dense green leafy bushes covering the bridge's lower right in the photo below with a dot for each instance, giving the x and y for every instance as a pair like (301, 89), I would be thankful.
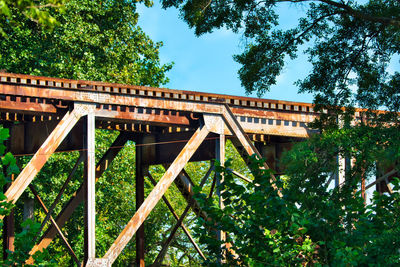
(313, 223)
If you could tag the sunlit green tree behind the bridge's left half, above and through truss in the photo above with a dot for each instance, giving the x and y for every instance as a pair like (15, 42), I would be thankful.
(92, 40)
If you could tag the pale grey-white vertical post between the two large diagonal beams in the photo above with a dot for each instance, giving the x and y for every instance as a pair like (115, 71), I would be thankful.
(90, 179)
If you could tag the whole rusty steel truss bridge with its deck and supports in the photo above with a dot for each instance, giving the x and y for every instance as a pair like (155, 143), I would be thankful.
(46, 115)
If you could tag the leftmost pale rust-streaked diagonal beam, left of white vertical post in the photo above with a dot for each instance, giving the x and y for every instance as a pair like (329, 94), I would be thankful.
(43, 154)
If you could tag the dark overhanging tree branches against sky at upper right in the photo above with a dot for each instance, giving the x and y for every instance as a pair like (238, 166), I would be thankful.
(349, 43)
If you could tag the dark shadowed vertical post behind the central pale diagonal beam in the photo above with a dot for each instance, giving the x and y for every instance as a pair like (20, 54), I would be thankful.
(139, 201)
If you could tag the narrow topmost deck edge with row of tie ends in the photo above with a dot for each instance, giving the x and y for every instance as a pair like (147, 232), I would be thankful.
(112, 88)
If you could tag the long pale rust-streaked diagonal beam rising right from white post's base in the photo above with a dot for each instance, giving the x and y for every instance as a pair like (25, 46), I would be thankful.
(156, 194)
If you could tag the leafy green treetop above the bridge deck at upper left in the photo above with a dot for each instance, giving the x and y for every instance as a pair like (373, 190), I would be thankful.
(95, 40)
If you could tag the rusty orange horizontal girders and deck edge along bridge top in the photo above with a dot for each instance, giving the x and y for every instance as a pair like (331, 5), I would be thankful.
(257, 116)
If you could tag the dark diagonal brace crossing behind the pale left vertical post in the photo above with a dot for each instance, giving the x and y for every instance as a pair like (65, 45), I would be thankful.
(78, 197)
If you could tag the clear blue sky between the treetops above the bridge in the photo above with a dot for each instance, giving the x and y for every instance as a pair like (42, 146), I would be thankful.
(205, 63)
